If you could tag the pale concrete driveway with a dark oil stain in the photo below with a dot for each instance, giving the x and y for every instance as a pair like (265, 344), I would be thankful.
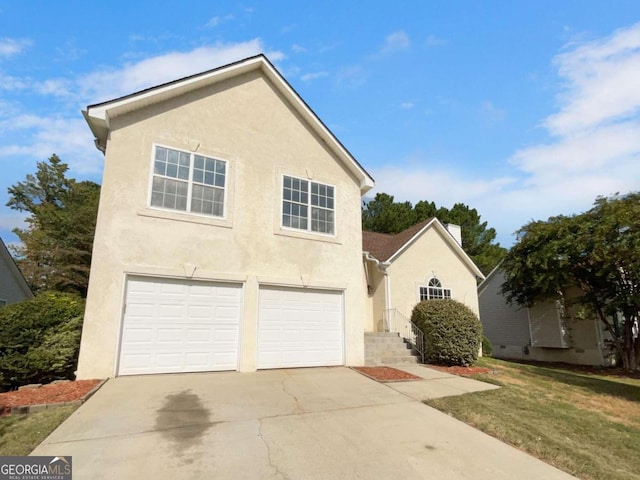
(317, 423)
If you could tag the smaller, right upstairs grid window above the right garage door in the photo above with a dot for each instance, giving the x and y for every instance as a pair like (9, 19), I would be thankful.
(308, 205)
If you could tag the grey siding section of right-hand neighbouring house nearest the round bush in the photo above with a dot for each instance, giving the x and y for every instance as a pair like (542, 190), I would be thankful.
(504, 325)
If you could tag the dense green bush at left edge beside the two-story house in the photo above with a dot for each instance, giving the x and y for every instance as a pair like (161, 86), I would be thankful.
(40, 339)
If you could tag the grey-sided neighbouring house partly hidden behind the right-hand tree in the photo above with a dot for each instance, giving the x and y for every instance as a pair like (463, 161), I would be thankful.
(548, 331)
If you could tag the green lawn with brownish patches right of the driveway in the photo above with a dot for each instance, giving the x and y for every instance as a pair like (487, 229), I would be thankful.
(585, 424)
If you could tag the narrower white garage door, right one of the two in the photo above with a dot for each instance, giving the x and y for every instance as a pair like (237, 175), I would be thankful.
(300, 328)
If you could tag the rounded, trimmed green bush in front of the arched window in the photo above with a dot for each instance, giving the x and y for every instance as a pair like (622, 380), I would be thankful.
(452, 332)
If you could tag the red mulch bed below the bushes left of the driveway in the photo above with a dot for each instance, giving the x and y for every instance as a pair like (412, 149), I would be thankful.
(52, 393)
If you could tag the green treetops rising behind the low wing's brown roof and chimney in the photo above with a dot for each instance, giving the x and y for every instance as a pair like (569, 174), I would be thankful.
(384, 215)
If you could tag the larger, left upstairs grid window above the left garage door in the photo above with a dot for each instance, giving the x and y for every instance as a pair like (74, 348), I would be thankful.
(188, 182)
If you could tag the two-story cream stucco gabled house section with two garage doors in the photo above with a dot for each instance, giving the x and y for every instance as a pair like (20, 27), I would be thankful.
(228, 233)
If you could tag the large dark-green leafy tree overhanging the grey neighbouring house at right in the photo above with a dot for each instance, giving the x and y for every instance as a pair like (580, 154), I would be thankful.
(597, 252)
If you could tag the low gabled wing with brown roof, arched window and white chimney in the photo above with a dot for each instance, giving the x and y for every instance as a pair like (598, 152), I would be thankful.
(423, 262)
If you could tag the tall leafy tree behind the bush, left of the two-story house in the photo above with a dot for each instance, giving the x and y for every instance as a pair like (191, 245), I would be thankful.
(55, 253)
